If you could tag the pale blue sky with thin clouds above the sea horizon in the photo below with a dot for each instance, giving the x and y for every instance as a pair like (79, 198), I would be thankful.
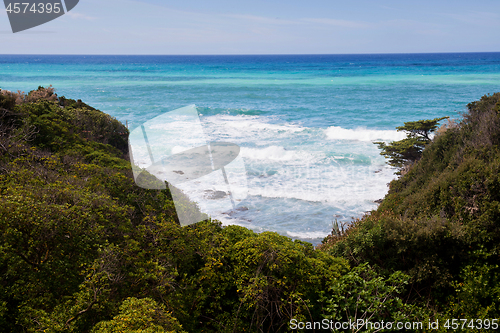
(262, 27)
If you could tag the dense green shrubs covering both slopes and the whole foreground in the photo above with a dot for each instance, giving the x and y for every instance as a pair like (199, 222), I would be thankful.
(83, 249)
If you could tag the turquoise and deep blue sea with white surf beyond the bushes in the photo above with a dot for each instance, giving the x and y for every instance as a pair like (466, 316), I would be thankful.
(305, 123)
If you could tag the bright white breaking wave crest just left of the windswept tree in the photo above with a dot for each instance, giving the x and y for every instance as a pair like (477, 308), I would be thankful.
(362, 134)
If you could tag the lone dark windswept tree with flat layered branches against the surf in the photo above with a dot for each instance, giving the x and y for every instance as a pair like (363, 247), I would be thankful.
(409, 150)
